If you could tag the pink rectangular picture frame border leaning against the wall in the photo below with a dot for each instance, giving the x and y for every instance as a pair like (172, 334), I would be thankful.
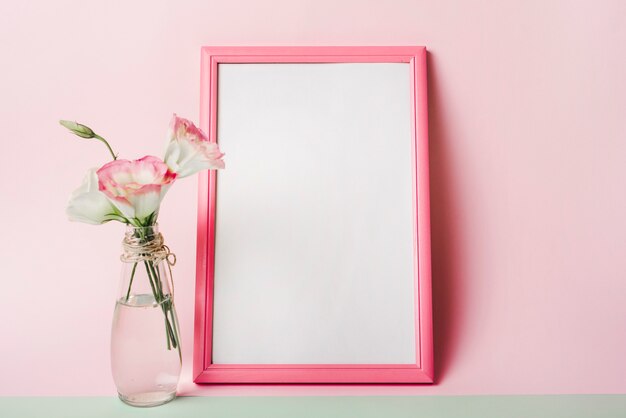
(204, 369)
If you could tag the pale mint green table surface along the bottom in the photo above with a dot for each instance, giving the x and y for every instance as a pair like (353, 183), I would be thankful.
(553, 406)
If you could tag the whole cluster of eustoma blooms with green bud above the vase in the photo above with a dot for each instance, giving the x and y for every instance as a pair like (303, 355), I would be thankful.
(131, 191)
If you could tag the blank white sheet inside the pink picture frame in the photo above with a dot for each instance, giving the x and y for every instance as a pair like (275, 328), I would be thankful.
(314, 225)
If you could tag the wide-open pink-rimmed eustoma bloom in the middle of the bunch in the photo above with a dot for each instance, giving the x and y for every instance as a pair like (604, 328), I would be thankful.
(137, 187)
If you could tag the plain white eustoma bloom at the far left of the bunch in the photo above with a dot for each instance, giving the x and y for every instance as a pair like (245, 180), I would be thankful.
(88, 204)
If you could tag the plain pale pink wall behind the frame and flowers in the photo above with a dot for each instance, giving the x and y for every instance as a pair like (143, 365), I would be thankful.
(528, 152)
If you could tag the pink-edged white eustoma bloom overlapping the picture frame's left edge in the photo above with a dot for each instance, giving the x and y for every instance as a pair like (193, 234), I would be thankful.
(189, 150)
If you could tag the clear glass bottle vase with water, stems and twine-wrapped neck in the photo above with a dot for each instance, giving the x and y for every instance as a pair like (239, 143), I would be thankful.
(145, 343)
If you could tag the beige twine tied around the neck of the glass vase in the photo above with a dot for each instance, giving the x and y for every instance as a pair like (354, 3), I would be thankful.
(152, 249)
